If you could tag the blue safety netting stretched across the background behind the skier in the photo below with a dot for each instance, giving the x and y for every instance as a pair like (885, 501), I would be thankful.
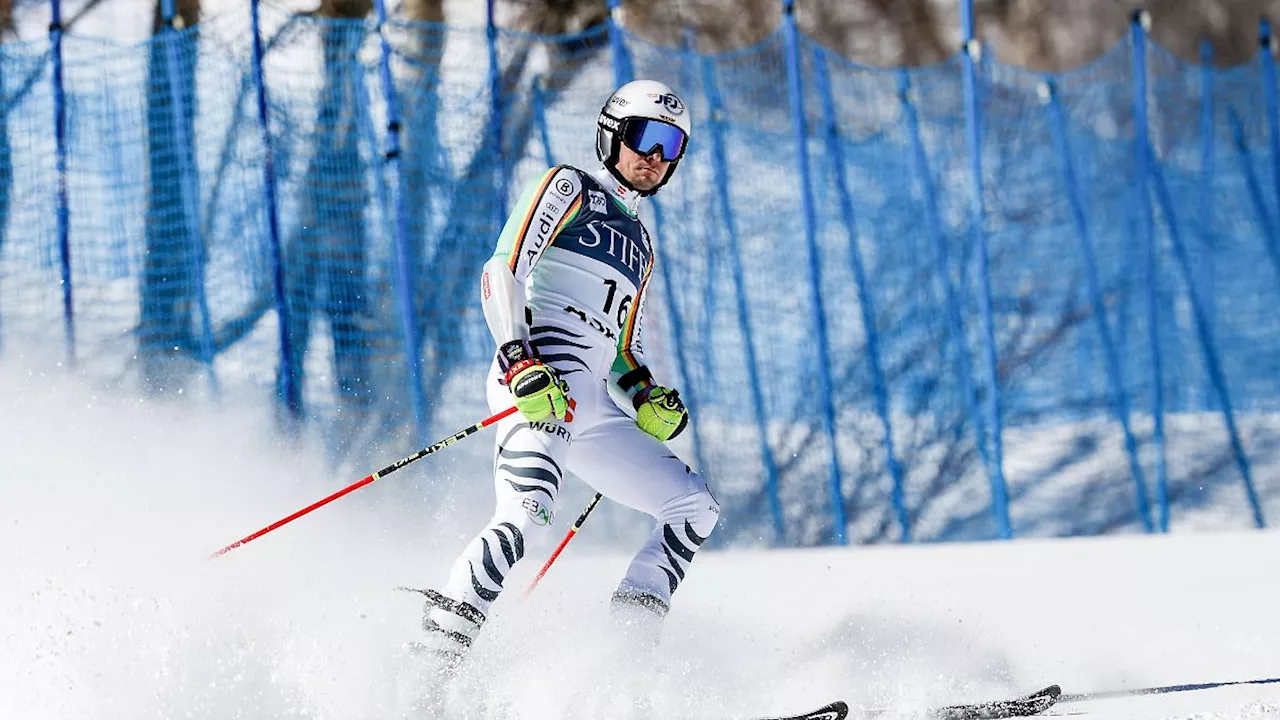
(299, 208)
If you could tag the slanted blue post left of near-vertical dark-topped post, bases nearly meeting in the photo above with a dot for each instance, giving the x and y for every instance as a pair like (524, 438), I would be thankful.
(1116, 377)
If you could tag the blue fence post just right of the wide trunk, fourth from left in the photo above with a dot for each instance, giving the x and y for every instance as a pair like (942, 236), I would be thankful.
(401, 233)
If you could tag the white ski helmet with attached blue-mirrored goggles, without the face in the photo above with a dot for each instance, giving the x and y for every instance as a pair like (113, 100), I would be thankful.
(646, 115)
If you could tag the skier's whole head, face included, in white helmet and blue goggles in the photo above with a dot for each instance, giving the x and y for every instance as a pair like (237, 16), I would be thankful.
(642, 135)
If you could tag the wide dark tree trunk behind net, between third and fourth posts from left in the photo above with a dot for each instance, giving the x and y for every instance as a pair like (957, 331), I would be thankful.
(326, 267)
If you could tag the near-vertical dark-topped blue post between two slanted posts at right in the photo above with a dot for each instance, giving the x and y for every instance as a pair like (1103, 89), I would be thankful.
(1146, 226)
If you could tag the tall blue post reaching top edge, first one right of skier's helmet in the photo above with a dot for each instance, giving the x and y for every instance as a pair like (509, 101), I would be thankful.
(826, 388)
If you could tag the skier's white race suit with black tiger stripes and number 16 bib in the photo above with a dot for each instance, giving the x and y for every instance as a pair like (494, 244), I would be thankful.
(570, 276)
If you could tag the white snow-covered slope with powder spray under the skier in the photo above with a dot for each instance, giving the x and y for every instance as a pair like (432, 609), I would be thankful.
(109, 607)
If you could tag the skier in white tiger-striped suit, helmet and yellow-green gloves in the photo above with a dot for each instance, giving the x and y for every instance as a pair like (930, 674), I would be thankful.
(565, 298)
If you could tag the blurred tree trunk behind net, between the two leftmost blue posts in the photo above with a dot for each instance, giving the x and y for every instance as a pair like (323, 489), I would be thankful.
(170, 280)
